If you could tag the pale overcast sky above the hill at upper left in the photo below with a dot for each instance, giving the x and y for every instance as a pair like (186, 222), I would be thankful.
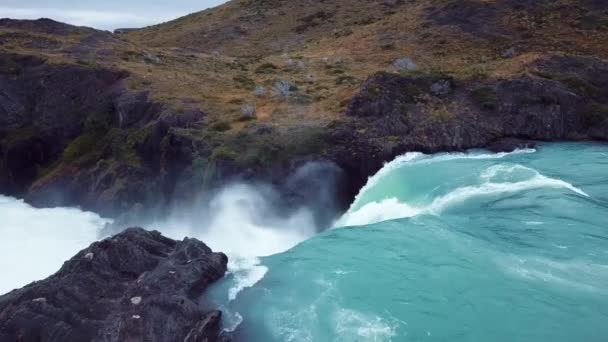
(105, 14)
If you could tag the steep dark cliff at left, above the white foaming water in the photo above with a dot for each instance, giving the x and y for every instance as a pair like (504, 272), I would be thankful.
(74, 134)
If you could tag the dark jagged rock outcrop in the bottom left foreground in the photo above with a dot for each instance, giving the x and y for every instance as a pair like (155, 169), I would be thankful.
(135, 286)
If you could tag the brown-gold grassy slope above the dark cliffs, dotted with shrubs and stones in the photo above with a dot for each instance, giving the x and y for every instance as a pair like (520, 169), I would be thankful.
(213, 57)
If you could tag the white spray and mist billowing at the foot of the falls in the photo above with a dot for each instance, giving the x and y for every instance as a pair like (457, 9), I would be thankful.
(244, 224)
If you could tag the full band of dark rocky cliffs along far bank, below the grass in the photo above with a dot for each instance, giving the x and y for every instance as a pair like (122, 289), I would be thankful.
(144, 161)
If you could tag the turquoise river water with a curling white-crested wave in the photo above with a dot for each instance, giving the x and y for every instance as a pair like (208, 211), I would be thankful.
(453, 247)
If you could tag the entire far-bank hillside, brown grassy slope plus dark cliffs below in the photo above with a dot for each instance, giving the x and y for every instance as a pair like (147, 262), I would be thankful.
(251, 88)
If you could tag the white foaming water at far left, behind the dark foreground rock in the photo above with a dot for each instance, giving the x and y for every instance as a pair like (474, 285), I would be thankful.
(35, 242)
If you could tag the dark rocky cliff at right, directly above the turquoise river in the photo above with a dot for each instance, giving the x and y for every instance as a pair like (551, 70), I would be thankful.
(561, 101)
